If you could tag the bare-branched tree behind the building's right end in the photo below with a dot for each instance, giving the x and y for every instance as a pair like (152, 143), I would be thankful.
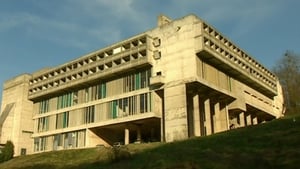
(288, 71)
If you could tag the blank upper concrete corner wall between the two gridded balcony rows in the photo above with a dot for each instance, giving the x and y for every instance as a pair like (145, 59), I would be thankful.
(177, 50)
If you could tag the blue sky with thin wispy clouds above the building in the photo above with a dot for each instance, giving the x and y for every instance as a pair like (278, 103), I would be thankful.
(35, 34)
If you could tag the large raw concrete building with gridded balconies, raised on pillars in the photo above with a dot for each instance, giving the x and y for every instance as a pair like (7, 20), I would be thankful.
(179, 80)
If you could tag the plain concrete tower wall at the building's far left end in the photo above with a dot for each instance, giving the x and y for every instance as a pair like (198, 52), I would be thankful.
(18, 126)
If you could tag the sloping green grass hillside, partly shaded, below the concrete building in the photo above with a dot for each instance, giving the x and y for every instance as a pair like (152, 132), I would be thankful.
(275, 144)
